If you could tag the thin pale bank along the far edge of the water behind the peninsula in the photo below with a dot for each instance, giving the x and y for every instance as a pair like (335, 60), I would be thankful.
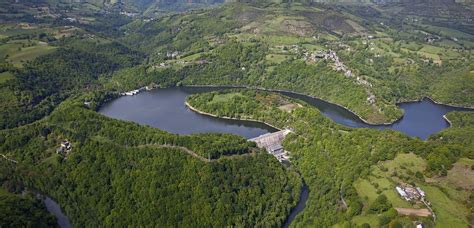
(341, 106)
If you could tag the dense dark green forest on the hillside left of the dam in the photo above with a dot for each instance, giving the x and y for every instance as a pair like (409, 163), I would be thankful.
(148, 173)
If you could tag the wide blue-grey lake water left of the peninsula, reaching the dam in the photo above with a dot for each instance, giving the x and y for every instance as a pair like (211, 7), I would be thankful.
(165, 109)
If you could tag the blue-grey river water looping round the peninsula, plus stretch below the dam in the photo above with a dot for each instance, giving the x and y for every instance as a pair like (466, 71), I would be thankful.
(165, 109)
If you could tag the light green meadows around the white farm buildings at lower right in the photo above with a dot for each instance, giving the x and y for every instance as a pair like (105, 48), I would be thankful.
(448, 208)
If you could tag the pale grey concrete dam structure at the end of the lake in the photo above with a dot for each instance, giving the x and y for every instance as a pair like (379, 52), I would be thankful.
(272, 143)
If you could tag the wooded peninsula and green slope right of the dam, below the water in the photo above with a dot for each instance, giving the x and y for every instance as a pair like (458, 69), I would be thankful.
(320, 147)
